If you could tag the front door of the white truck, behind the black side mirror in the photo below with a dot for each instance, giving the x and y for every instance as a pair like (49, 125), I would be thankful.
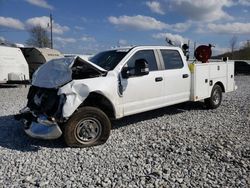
(142, 93)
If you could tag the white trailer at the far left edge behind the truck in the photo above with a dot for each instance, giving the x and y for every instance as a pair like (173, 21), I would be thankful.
(13, 66)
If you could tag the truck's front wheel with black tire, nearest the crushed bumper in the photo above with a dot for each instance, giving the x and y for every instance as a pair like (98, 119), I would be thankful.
(89, 126)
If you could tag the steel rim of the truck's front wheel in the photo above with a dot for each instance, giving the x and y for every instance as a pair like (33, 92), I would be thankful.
(88, 130)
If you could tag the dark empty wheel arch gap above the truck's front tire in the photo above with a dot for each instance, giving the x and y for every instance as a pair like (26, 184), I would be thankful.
(100, 101)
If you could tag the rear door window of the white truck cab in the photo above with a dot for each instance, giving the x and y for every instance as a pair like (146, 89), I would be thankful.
(172, 59)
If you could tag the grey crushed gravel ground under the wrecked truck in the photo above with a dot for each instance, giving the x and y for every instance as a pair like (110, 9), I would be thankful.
(179, 146)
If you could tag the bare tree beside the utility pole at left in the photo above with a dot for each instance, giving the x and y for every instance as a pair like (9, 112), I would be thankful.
(38, 37)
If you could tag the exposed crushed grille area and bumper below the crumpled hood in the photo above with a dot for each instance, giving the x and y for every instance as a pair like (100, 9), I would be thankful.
(43, 113)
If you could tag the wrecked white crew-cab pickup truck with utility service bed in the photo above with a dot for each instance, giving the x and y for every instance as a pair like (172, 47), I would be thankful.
(79, 97)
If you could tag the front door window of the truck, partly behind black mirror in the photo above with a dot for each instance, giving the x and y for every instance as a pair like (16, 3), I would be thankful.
(148, 55)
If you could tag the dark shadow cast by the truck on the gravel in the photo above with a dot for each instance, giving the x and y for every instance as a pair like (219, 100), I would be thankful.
(13, 137)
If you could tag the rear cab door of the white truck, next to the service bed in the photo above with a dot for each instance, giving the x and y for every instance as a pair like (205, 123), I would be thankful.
(177, 77)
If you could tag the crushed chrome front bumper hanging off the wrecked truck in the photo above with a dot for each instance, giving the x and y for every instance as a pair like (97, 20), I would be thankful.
(39, 126)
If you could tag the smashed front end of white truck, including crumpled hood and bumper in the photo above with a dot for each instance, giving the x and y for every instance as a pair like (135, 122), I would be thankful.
(43, 115)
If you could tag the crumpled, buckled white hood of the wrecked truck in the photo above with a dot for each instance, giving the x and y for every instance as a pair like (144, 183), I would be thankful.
(58, 72)
